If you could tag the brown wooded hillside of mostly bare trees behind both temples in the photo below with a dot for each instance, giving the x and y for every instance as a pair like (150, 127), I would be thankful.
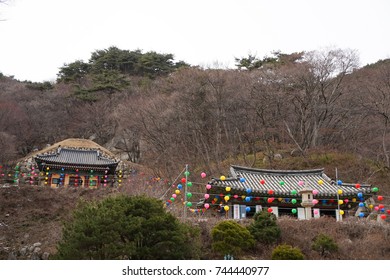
(164, 114)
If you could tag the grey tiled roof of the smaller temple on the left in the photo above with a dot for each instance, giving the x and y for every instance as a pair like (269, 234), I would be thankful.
(76, 157)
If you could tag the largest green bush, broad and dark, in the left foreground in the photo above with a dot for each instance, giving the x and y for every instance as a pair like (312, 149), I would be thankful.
(125, 227)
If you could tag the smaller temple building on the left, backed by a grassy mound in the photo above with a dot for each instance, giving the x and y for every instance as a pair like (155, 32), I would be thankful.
(76, 167)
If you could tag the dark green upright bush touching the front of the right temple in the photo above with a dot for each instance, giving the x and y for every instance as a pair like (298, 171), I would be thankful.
(264, 228)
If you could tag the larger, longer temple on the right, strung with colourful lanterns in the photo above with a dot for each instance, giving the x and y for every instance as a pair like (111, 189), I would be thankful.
(302, 193)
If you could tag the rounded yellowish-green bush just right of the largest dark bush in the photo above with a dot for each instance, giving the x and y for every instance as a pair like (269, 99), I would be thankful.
(230, 238)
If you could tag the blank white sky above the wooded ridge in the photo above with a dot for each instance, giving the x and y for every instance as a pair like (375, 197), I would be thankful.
(39, 36)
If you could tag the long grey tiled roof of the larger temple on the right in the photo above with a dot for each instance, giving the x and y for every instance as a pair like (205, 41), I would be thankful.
(283, 182)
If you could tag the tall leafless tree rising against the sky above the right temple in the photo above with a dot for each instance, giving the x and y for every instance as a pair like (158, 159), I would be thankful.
(313, 91)
